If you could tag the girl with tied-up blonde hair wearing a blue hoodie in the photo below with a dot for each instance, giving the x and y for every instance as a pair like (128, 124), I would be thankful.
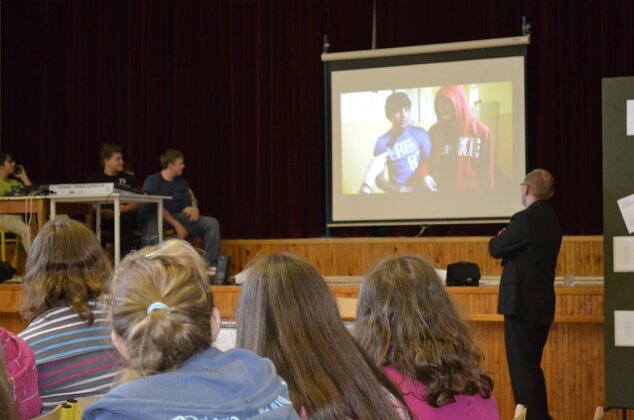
(163, 324)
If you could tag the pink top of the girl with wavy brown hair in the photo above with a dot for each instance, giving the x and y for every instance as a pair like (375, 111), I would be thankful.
(472, 407)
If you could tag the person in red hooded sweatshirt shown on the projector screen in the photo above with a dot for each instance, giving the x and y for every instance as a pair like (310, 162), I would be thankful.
(462, 147)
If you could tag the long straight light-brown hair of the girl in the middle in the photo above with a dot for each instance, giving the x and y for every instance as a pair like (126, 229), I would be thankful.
(287, 313)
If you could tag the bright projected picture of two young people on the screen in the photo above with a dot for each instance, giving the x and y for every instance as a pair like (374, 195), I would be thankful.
(427, 139)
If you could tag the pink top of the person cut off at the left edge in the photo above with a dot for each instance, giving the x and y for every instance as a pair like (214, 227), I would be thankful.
(20, 363)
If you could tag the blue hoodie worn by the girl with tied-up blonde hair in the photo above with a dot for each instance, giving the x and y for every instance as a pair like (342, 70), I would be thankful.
(211, 385)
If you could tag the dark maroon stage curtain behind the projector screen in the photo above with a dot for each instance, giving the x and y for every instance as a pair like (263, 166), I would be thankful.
(238, 87)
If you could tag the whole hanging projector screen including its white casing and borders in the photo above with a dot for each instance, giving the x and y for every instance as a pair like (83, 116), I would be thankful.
(431, 134)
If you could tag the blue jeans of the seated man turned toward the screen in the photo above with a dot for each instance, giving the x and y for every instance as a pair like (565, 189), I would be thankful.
(206, 227)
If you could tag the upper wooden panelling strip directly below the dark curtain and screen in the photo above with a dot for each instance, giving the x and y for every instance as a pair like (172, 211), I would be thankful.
(580, 255)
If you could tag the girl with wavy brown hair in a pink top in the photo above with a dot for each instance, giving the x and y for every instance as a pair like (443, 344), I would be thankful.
(409, 326)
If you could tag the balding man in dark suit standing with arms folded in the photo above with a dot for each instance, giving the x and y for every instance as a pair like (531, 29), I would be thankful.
(529, 247)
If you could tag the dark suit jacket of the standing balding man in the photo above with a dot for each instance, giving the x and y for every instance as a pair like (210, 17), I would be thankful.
(529, 247)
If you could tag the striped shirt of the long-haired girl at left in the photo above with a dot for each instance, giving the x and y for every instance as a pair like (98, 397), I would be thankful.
(73, 359)
